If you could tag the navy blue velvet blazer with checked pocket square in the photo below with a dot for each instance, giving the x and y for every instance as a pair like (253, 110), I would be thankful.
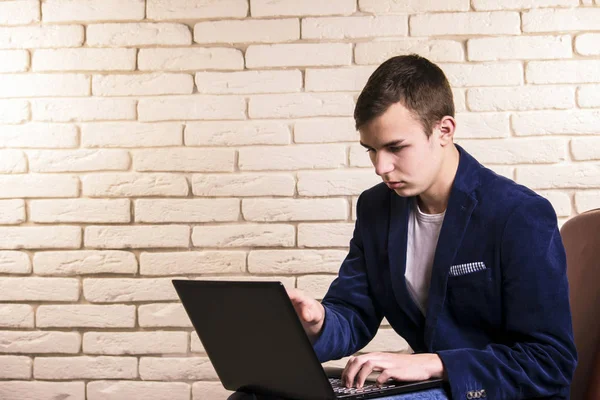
(503, 327)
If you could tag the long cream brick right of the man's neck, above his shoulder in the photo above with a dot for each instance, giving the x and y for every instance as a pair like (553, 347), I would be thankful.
(519, 151)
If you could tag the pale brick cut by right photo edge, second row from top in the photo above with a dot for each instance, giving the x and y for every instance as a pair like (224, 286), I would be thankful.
(565, 20)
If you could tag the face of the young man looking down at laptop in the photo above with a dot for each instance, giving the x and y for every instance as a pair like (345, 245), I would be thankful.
(403, 155)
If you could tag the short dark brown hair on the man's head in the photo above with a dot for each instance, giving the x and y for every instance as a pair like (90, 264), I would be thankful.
(415, 82)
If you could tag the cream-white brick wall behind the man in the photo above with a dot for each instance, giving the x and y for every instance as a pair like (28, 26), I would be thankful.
(147, 140)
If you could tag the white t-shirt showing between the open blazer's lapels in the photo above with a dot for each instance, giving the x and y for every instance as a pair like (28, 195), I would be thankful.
(423, 233)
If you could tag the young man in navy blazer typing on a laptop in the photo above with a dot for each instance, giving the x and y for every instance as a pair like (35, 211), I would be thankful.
(466, 265)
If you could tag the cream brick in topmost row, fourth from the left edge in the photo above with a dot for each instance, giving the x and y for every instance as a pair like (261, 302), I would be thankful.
(267, 8)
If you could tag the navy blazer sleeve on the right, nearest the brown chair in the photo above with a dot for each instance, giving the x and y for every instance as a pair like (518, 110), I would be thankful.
(538, 356)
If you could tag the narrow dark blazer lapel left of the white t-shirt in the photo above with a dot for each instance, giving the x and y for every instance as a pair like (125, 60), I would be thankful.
(397, 242)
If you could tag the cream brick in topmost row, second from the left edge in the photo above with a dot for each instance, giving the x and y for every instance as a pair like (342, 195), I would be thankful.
(92, 10)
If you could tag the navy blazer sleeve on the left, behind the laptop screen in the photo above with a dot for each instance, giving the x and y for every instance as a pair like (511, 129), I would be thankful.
(351, 316)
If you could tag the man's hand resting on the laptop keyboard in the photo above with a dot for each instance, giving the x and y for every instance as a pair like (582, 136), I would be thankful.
(401, 367)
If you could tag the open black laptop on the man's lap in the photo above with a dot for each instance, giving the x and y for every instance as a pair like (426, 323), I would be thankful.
(256, 343)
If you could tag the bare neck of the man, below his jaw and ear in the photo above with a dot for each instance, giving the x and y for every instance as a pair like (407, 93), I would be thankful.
(435, 199)
